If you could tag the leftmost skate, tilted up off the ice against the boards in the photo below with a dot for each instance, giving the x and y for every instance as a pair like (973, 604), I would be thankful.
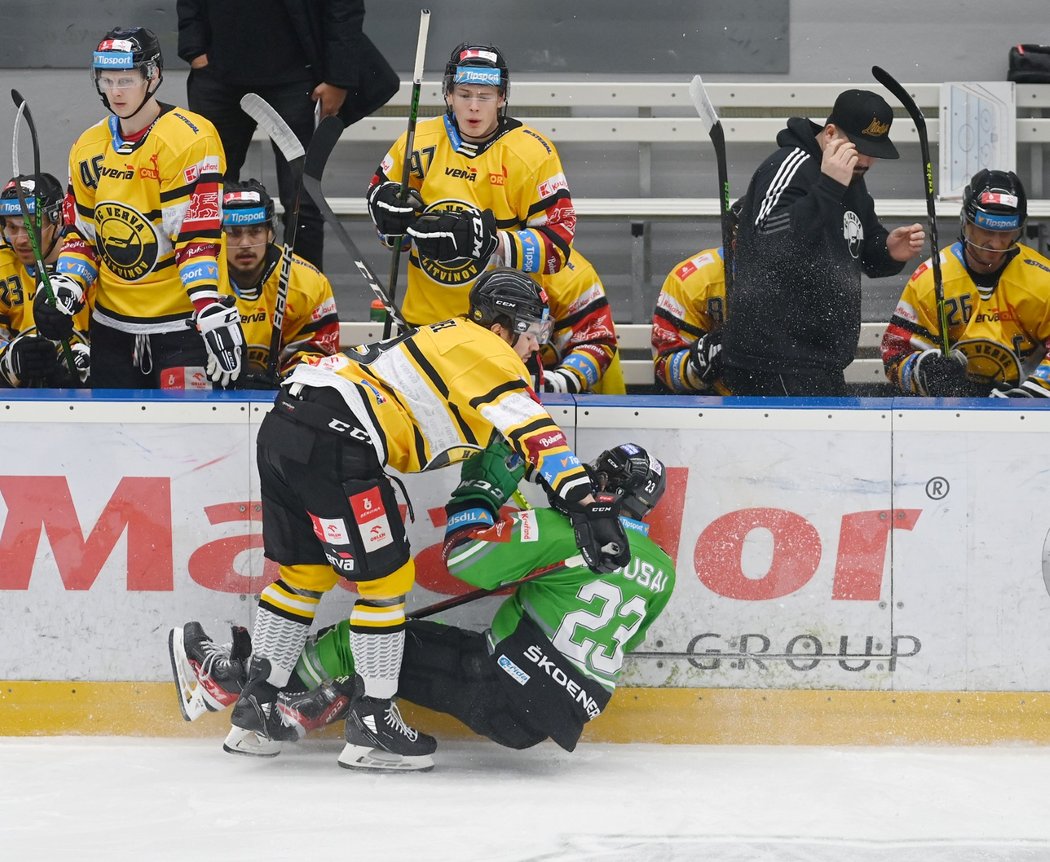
(208, 677)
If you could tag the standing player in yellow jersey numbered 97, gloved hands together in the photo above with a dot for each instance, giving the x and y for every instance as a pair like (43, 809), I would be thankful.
(492, 193)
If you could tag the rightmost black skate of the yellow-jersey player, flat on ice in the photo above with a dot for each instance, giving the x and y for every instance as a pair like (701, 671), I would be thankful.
(379, 740)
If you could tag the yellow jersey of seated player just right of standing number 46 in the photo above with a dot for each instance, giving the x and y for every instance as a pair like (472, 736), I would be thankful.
(311, 324)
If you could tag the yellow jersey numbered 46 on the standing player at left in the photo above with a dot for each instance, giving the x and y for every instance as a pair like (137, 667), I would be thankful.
(145, 221)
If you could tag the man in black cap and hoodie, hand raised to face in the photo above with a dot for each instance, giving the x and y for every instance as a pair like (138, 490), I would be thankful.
(807, 232)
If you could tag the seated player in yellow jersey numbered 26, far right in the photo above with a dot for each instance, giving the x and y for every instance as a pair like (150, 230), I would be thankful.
(997, 293)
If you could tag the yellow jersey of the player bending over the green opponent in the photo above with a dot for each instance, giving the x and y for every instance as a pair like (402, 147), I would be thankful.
(434, 396)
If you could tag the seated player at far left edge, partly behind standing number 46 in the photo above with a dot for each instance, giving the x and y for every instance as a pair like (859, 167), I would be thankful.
(28, 359)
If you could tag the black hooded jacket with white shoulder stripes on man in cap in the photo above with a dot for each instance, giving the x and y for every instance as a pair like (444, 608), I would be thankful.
(803, 243)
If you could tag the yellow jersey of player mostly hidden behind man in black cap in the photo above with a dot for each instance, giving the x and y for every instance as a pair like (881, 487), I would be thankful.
(691, 304)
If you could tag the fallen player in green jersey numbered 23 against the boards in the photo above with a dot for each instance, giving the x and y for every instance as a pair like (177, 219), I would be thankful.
(531, 676)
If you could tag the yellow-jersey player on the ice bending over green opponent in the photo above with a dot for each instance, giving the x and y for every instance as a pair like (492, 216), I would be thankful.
(419, 402)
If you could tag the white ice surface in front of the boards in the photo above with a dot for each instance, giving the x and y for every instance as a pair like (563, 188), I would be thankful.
(165, 800)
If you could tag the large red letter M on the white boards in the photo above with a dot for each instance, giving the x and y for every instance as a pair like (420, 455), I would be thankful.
(140, 508)
